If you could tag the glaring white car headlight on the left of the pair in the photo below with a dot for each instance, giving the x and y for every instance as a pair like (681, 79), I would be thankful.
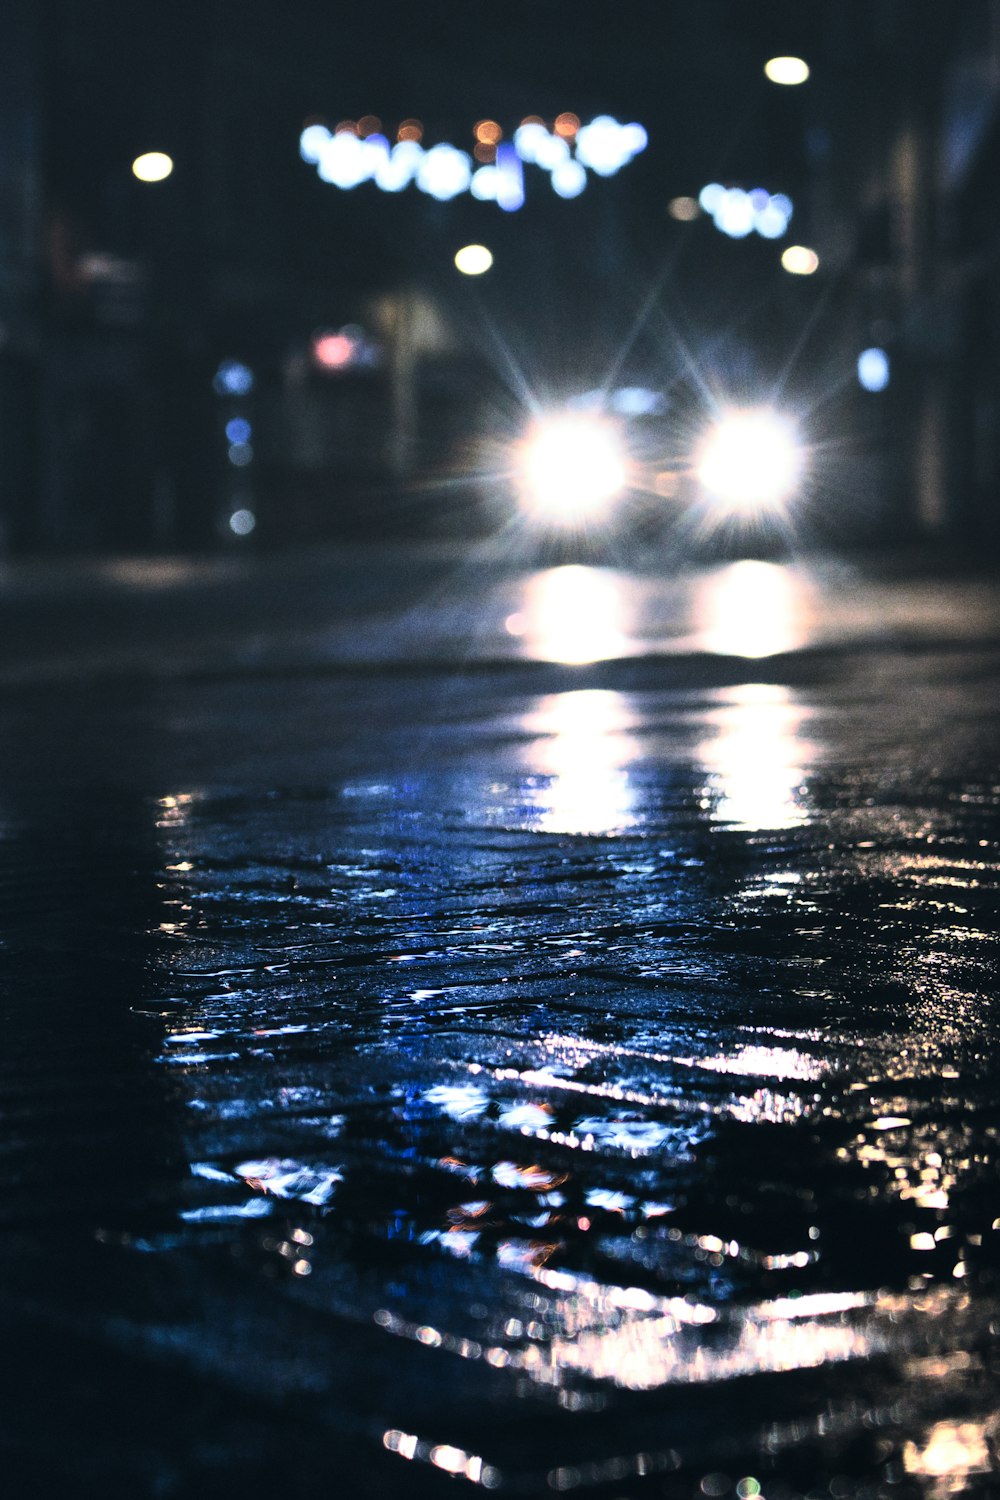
(572, 469)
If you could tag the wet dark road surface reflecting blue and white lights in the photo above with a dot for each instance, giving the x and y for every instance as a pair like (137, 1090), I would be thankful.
(524, 1031)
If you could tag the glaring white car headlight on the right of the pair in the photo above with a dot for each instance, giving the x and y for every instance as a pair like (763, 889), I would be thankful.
(750, 461)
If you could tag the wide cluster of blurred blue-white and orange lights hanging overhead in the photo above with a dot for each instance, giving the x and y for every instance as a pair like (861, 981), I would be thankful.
(496, 173)
